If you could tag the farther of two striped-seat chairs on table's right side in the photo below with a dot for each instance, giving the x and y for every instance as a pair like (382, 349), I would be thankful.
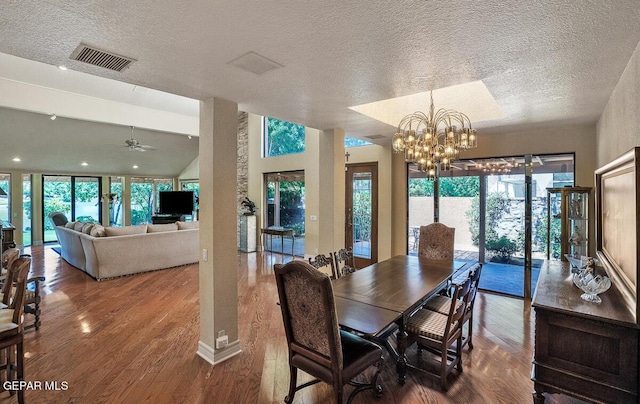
(441, 303)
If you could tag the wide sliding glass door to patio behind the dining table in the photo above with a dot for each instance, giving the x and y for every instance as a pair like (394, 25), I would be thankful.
(485, 201)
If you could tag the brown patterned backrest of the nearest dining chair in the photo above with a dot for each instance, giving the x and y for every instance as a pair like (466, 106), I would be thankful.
(309, 313)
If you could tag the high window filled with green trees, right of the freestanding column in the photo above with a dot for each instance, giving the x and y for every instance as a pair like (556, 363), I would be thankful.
(281, 137)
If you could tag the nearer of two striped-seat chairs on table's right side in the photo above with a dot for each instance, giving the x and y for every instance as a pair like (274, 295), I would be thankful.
(439, 332)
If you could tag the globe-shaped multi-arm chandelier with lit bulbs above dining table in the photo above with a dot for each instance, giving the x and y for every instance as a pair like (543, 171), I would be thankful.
(434, 141)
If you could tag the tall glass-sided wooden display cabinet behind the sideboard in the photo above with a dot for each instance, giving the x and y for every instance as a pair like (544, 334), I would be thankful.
(568, 209)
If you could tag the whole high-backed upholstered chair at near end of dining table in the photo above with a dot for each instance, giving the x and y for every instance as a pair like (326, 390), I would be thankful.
(315, 342)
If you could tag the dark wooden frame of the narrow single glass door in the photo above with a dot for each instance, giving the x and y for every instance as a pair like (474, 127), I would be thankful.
(351, 169)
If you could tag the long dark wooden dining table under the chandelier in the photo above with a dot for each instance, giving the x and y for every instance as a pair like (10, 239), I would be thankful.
(373, 299)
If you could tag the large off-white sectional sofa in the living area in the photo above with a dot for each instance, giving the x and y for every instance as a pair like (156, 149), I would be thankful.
(116, 251)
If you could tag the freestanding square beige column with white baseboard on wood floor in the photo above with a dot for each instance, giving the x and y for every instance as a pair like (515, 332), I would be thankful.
(218, 214)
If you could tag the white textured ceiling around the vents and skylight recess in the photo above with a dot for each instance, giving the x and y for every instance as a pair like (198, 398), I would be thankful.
(546, 63)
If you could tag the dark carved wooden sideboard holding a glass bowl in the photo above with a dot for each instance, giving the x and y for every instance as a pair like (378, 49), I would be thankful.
(582, 349)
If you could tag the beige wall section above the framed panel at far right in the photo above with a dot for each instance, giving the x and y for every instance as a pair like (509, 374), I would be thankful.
(618, 129)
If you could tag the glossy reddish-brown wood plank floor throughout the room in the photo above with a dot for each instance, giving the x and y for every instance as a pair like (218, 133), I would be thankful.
(134, 340)
